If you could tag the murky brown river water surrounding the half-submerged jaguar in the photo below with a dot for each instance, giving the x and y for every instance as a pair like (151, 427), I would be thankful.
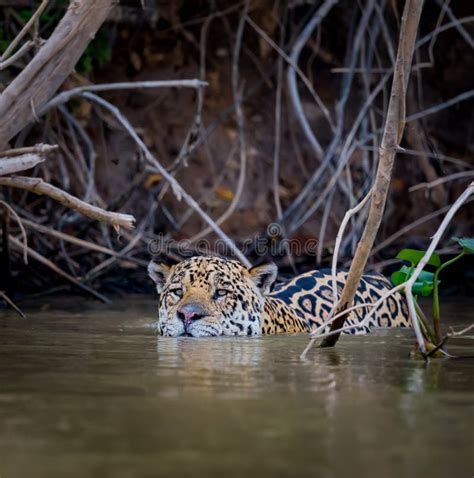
(89, 391)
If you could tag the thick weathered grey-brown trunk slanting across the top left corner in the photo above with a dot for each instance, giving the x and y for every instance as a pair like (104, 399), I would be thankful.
(55, 60)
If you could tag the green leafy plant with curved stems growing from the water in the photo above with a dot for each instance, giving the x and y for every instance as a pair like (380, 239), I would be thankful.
(427, 283)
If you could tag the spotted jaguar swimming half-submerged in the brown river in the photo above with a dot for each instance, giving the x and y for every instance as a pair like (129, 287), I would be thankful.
(212, 296)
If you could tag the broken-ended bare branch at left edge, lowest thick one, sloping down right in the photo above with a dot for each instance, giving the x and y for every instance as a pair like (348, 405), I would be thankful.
(38, 186)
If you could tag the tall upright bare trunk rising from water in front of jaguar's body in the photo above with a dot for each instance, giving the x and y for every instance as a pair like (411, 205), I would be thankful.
(392, 136)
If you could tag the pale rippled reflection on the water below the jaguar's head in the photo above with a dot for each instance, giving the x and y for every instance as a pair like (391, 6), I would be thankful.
(238, 367)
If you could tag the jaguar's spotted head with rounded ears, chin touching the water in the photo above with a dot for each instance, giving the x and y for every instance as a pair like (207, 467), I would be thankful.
(210, 296)
